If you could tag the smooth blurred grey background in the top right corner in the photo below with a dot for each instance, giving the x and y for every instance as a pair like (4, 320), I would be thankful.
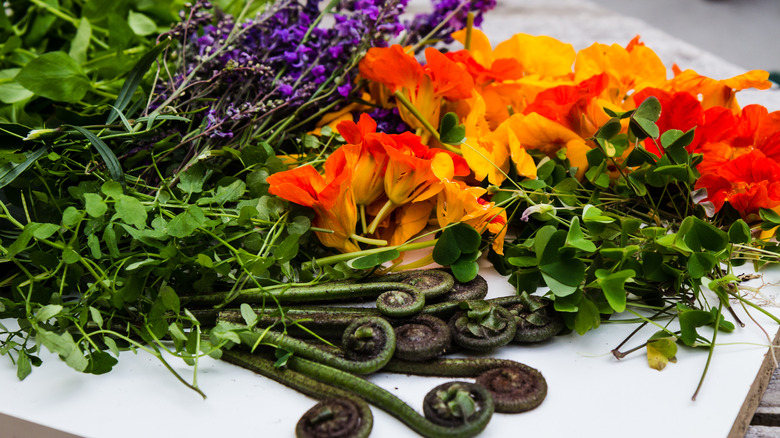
(743, 32)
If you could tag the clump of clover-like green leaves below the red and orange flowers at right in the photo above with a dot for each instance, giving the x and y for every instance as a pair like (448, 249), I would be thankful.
(630, 236)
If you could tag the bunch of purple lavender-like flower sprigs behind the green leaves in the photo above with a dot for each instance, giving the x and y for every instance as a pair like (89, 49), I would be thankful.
(273, 67)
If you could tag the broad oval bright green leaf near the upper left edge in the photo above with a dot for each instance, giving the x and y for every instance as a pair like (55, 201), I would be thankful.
(56, 76)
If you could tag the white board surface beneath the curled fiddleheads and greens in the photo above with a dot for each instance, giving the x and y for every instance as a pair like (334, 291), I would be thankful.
(590, 392)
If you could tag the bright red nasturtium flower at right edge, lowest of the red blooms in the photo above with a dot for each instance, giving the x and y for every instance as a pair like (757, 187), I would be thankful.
(748, 182)
